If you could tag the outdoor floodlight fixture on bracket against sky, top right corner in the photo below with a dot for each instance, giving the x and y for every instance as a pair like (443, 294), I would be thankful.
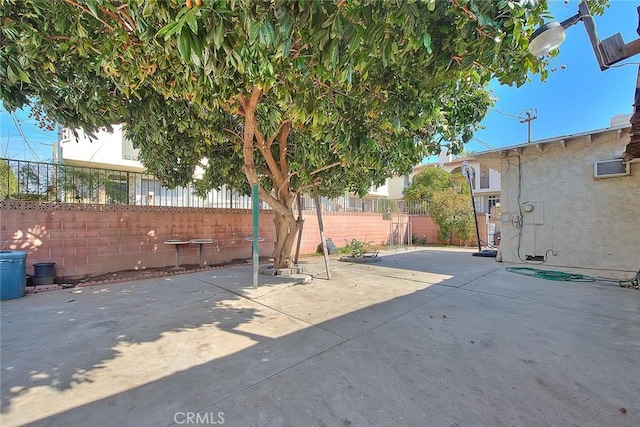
(609, 51)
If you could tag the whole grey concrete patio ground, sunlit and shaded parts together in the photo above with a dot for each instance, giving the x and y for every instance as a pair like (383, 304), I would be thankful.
(426, 337)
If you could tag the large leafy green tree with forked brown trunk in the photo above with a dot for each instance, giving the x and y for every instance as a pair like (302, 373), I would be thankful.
(289, 95)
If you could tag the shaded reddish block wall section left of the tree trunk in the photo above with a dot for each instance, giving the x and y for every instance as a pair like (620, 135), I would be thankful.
(97, 240)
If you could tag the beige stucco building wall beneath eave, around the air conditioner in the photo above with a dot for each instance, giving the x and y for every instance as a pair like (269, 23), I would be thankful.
(577, 221)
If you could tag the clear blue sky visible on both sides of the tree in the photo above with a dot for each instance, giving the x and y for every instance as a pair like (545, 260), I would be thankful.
(577, 97)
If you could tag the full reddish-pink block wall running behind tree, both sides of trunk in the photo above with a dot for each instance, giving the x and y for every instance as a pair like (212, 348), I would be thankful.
(85, 240)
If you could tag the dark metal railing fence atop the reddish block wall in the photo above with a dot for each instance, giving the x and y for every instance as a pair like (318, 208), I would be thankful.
(51, 182)
